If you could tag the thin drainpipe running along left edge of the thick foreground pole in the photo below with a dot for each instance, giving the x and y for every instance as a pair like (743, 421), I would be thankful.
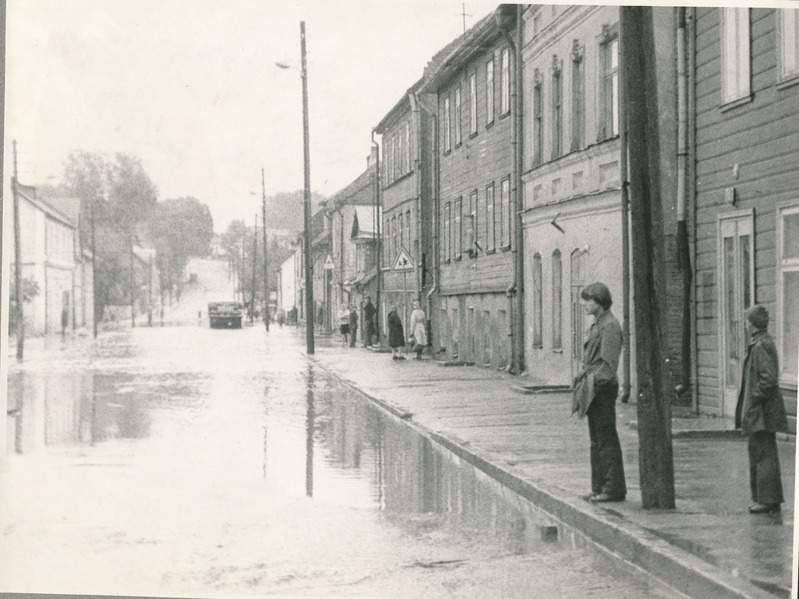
(625, 235)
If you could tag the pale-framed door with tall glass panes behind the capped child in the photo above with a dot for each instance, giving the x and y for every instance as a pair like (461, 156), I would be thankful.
(736, 260)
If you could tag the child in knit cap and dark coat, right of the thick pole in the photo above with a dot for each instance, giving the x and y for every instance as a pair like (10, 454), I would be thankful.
(760, 413)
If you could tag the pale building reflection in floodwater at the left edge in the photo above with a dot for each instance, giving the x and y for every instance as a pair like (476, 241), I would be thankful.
(68, 407)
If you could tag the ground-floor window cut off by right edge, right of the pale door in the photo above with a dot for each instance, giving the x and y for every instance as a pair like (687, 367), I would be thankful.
(789, 283)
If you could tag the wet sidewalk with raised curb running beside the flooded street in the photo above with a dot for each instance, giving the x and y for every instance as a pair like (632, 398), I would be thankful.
(710, 546)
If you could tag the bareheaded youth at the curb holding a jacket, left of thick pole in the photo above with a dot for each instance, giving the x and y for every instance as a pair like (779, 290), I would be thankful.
(599, 385)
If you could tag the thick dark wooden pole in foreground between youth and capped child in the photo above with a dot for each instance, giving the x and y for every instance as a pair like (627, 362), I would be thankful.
(639, 87)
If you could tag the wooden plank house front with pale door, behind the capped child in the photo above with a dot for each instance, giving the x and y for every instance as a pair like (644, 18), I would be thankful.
(746, 75)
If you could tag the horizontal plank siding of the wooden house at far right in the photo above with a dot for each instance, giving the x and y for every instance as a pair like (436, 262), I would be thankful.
(762, 138)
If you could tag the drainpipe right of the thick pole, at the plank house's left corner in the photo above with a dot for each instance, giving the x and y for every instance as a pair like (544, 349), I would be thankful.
(682, 186)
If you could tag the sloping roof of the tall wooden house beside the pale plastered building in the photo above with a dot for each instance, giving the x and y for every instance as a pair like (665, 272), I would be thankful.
(475, 40)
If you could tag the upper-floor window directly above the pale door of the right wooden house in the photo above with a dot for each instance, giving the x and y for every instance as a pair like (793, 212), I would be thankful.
(734, 54)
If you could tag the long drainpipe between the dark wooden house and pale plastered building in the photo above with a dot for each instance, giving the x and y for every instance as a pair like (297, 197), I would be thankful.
(515, 290)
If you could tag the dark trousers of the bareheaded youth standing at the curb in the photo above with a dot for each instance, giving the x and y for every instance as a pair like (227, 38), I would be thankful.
(607, 469)
